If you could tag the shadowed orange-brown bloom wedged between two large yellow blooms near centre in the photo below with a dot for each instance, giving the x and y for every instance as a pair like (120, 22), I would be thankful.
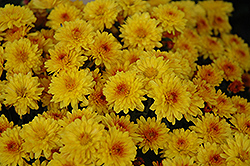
(97, 100)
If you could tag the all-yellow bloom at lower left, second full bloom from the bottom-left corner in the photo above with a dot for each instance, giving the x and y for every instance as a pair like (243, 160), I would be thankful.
(41, 136)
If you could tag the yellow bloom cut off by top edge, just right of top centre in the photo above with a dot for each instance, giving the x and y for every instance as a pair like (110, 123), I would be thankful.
(130, 7)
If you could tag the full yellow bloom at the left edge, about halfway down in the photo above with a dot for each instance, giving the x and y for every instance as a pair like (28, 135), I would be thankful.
(22, 91)
